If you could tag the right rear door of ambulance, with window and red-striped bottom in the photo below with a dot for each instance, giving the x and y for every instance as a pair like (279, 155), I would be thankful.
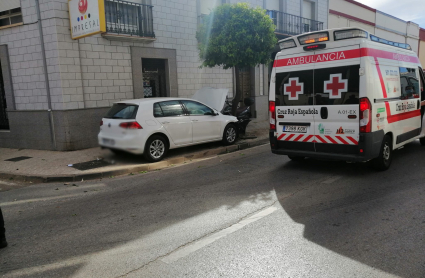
(336, 98)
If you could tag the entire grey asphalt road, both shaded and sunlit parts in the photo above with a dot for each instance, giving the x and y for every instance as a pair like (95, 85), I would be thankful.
(244, 214)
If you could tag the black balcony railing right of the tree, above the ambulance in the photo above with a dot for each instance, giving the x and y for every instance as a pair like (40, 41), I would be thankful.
(290, 24)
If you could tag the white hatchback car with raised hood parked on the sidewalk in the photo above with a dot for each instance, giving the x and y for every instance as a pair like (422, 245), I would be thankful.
(152, 126)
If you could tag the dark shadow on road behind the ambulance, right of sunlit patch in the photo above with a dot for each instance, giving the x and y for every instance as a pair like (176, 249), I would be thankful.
(362, 214)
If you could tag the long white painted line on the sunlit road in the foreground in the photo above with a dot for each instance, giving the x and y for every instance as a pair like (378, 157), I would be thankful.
(186, 250)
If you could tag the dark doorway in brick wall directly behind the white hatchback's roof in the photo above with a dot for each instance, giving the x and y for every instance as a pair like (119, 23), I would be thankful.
(154, 77)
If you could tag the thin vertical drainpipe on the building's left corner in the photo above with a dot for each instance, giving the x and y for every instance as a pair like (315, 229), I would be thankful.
(46, 77)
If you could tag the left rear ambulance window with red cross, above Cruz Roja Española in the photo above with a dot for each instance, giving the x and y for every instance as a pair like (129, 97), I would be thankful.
(294, 88)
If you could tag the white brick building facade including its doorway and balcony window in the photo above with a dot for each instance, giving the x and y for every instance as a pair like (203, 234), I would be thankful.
(55, 90)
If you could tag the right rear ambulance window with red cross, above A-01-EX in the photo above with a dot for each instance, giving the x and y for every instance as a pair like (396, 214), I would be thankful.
(337, 86)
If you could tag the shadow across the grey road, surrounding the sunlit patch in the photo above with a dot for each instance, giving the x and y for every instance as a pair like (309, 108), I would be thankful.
(362, 214)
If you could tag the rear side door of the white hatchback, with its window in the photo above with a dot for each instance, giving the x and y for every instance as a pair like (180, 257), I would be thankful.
(173, 118)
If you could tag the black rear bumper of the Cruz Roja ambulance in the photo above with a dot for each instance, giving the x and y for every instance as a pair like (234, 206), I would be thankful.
(370, 143)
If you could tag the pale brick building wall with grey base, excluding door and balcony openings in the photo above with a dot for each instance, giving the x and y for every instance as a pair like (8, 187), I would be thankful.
(86, 76)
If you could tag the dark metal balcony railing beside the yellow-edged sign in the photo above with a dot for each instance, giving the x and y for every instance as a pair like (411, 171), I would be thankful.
(129, 18)
